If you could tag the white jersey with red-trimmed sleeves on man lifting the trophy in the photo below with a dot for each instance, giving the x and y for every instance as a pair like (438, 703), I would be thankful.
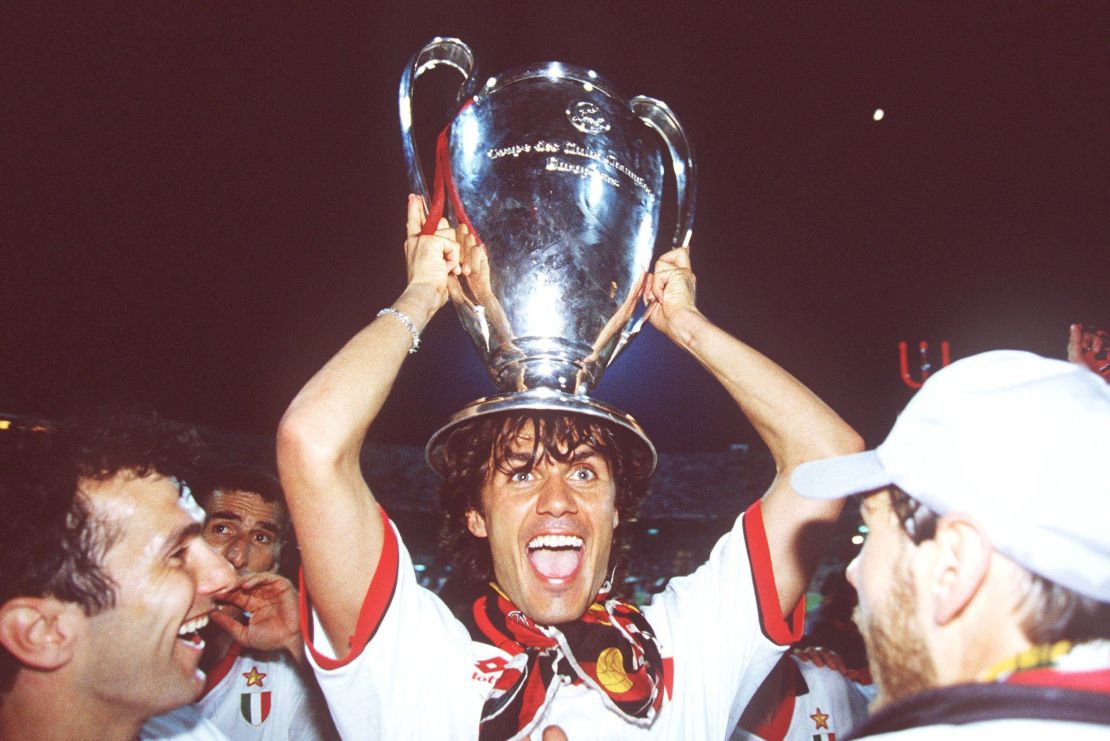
(415, 673)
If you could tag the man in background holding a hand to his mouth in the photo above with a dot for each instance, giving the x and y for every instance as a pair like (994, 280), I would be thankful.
(258, 686)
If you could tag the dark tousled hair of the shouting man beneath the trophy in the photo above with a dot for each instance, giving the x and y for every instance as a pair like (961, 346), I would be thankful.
(486, 444)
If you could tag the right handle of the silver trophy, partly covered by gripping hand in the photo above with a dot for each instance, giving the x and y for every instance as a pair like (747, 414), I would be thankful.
(660, 117)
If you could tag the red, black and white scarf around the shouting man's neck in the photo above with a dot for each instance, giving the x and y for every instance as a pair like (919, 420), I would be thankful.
(611, 649)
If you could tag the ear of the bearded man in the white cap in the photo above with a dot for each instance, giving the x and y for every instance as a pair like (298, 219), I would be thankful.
(963, 562)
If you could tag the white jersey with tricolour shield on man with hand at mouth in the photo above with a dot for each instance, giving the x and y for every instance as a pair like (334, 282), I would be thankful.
(259, 696)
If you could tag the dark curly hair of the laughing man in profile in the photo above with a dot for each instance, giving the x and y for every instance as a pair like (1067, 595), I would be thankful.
(52, 541)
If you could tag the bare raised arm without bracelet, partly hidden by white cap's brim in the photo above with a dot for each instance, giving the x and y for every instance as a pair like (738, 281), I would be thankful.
(792, 421)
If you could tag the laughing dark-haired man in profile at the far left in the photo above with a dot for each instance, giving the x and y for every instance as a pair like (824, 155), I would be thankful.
(105, 580)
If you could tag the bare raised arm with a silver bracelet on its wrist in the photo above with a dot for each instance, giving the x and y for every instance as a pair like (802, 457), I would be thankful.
(321, 435)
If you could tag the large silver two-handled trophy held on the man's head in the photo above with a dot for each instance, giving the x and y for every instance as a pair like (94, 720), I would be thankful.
(561, 181)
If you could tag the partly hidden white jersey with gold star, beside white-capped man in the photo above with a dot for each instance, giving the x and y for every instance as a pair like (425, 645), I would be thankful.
(803, 703)
